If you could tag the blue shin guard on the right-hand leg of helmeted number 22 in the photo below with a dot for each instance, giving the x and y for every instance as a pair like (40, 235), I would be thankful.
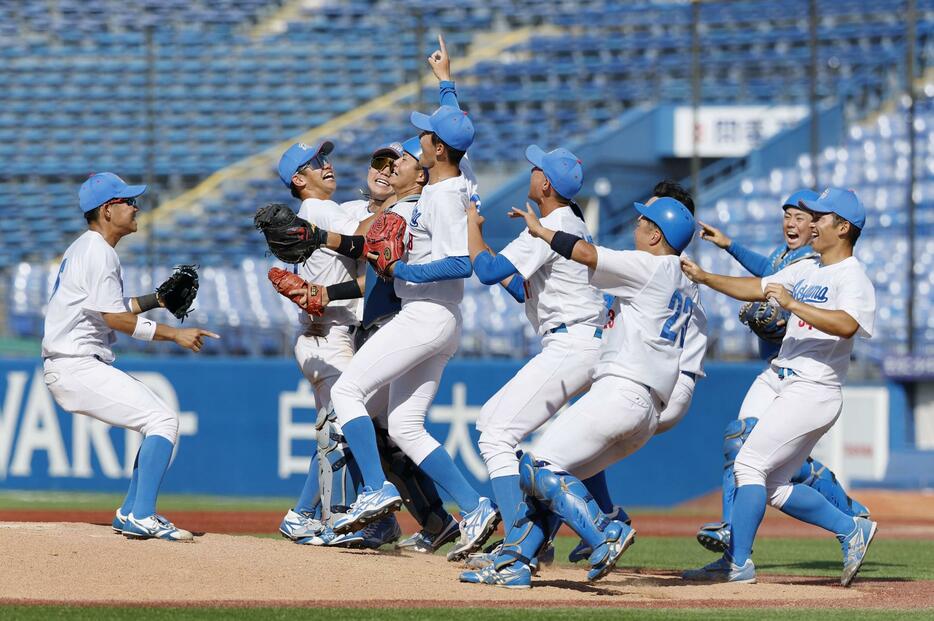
(566, 496)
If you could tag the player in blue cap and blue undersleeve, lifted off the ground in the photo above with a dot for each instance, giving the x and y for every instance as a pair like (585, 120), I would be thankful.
(409, 353)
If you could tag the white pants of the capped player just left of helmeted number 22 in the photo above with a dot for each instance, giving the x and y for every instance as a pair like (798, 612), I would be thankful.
(563, 369)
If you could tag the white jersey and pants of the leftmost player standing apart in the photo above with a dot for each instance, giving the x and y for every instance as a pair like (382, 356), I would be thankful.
(76, 349)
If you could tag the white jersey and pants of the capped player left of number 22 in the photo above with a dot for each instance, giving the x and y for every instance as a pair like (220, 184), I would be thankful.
(569, 315)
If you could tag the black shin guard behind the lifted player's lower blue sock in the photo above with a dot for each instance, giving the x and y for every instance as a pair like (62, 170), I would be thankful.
(418, 491)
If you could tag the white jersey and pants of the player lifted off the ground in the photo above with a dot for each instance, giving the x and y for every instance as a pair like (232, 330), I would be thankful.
(411, 350)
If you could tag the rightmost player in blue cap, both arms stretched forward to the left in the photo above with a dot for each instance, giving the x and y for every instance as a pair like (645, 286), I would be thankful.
(798, 398)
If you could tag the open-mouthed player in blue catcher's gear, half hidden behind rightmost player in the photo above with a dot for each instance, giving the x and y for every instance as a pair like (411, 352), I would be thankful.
(768, 323)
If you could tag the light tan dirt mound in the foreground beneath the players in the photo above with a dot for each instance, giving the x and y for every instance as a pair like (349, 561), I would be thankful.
(83, 564)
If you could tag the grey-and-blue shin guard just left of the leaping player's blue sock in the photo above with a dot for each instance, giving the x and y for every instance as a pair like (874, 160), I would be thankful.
(340, 477)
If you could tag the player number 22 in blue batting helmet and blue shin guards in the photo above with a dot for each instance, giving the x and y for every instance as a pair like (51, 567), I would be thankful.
(634, 378)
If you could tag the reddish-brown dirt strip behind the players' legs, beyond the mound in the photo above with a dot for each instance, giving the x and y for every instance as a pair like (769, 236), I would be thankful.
(904, 515)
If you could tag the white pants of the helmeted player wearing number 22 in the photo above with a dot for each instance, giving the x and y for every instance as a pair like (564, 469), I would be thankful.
(614, 419)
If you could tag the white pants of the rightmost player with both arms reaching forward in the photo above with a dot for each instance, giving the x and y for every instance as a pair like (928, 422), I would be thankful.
(793, 414)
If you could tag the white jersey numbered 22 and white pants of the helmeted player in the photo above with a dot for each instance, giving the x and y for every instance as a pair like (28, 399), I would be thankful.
(638, 368)
